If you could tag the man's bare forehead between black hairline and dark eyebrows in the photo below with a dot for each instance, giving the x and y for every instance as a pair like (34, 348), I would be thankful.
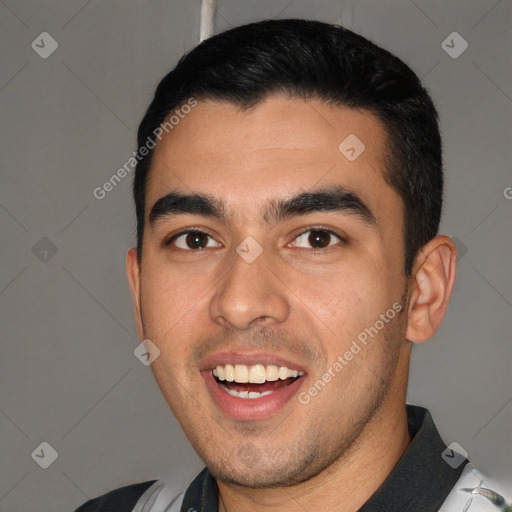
(274, 149)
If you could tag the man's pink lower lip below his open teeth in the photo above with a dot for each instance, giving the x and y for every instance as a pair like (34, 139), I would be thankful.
(250, 408)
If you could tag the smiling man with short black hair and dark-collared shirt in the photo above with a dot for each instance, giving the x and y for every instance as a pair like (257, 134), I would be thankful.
(288, 198)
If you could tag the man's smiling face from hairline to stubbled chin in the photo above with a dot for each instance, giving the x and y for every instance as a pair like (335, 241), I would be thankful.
(272, 283)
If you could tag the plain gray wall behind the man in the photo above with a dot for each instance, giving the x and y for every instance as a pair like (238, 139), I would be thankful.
(68, 375)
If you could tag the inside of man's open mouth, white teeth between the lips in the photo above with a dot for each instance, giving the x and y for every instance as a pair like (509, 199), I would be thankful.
(256, 381)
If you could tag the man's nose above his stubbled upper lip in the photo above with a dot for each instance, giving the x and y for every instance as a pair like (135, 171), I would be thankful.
(250, 293)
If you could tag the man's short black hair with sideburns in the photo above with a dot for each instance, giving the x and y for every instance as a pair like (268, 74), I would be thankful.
(310, 59)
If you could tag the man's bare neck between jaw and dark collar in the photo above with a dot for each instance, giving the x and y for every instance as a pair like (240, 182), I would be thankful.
(345, 485)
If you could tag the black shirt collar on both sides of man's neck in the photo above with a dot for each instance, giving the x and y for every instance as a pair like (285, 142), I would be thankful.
(420, 481)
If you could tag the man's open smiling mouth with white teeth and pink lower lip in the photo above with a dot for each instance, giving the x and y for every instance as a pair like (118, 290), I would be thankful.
(253, 391)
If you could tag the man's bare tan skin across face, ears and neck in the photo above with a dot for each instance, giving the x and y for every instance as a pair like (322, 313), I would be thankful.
(292, 302)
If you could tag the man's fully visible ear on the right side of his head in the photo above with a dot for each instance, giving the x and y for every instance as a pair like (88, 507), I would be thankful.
(433, 279)
